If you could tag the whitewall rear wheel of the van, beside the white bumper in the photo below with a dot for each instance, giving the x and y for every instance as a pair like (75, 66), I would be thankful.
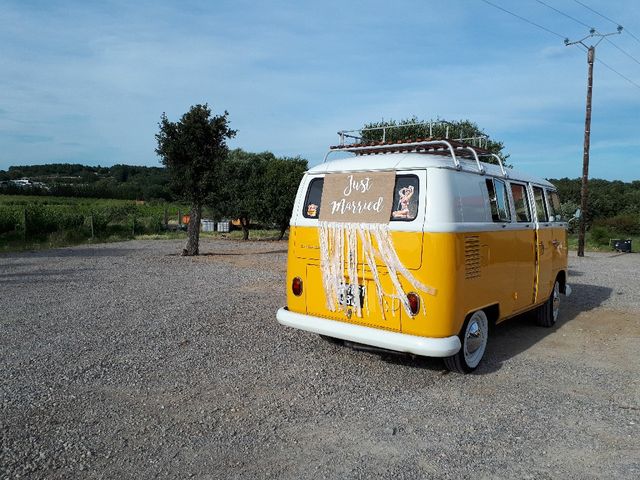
(473, 338)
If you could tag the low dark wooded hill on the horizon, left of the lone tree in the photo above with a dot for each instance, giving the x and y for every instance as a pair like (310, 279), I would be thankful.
(74, 180)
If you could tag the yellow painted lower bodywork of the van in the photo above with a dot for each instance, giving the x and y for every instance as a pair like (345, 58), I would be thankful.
(469, 270)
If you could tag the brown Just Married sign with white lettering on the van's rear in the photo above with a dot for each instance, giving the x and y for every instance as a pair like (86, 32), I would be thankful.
(365, 197)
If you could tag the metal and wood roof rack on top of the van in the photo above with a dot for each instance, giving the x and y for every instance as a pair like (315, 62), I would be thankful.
(433, 146)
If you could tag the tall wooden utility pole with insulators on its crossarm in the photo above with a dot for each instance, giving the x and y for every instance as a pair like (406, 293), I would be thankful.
(591, 56)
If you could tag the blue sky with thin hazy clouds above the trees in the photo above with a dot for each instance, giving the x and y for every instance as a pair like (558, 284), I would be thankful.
(86, 82)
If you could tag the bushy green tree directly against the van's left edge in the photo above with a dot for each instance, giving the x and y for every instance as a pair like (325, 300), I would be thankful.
(281, 180)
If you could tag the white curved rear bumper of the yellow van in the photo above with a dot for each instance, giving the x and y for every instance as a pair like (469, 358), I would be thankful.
(400, 342)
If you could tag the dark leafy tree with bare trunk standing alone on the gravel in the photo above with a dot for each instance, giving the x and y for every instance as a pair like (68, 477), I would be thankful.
(193, 149)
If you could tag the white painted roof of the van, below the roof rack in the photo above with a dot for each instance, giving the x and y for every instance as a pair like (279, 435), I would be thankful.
(416, 161)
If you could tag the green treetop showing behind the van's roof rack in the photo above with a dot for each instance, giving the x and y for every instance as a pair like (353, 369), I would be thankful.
(458, 129)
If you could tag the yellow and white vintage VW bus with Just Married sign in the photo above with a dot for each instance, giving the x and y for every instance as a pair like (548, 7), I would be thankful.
(462, 244)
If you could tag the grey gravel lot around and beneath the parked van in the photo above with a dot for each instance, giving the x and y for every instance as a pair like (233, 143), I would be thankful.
(125, 360)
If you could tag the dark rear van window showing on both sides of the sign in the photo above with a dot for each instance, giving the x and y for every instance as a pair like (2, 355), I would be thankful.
(405, 198)
